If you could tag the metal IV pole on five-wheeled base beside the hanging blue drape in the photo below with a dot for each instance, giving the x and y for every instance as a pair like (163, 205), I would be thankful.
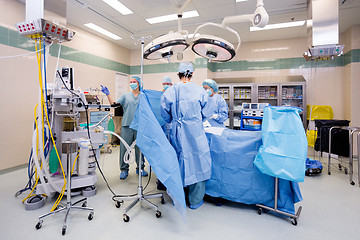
(140, 196)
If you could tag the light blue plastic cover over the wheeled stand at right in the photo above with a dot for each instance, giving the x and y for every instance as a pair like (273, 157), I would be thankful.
(284, 148)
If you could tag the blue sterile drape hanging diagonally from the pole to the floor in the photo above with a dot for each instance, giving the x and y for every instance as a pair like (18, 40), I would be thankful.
(156, 148)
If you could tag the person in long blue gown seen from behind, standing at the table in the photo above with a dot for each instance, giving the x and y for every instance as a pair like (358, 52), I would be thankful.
(185, 105)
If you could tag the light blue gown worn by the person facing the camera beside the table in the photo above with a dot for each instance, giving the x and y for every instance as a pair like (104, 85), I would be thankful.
(219, 107)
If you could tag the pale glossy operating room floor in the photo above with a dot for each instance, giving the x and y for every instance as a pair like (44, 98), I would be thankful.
(331, 210)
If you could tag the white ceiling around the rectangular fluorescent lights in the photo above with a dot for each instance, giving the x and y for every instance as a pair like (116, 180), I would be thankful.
(79, 12)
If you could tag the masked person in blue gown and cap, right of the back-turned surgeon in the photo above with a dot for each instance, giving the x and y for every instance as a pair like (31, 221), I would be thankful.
(218, 104)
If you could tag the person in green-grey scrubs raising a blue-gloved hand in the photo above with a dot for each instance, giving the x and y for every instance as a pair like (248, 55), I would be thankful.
(129, 101)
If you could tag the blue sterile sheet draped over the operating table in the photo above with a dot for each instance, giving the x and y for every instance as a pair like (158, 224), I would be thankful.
(236, 178)
